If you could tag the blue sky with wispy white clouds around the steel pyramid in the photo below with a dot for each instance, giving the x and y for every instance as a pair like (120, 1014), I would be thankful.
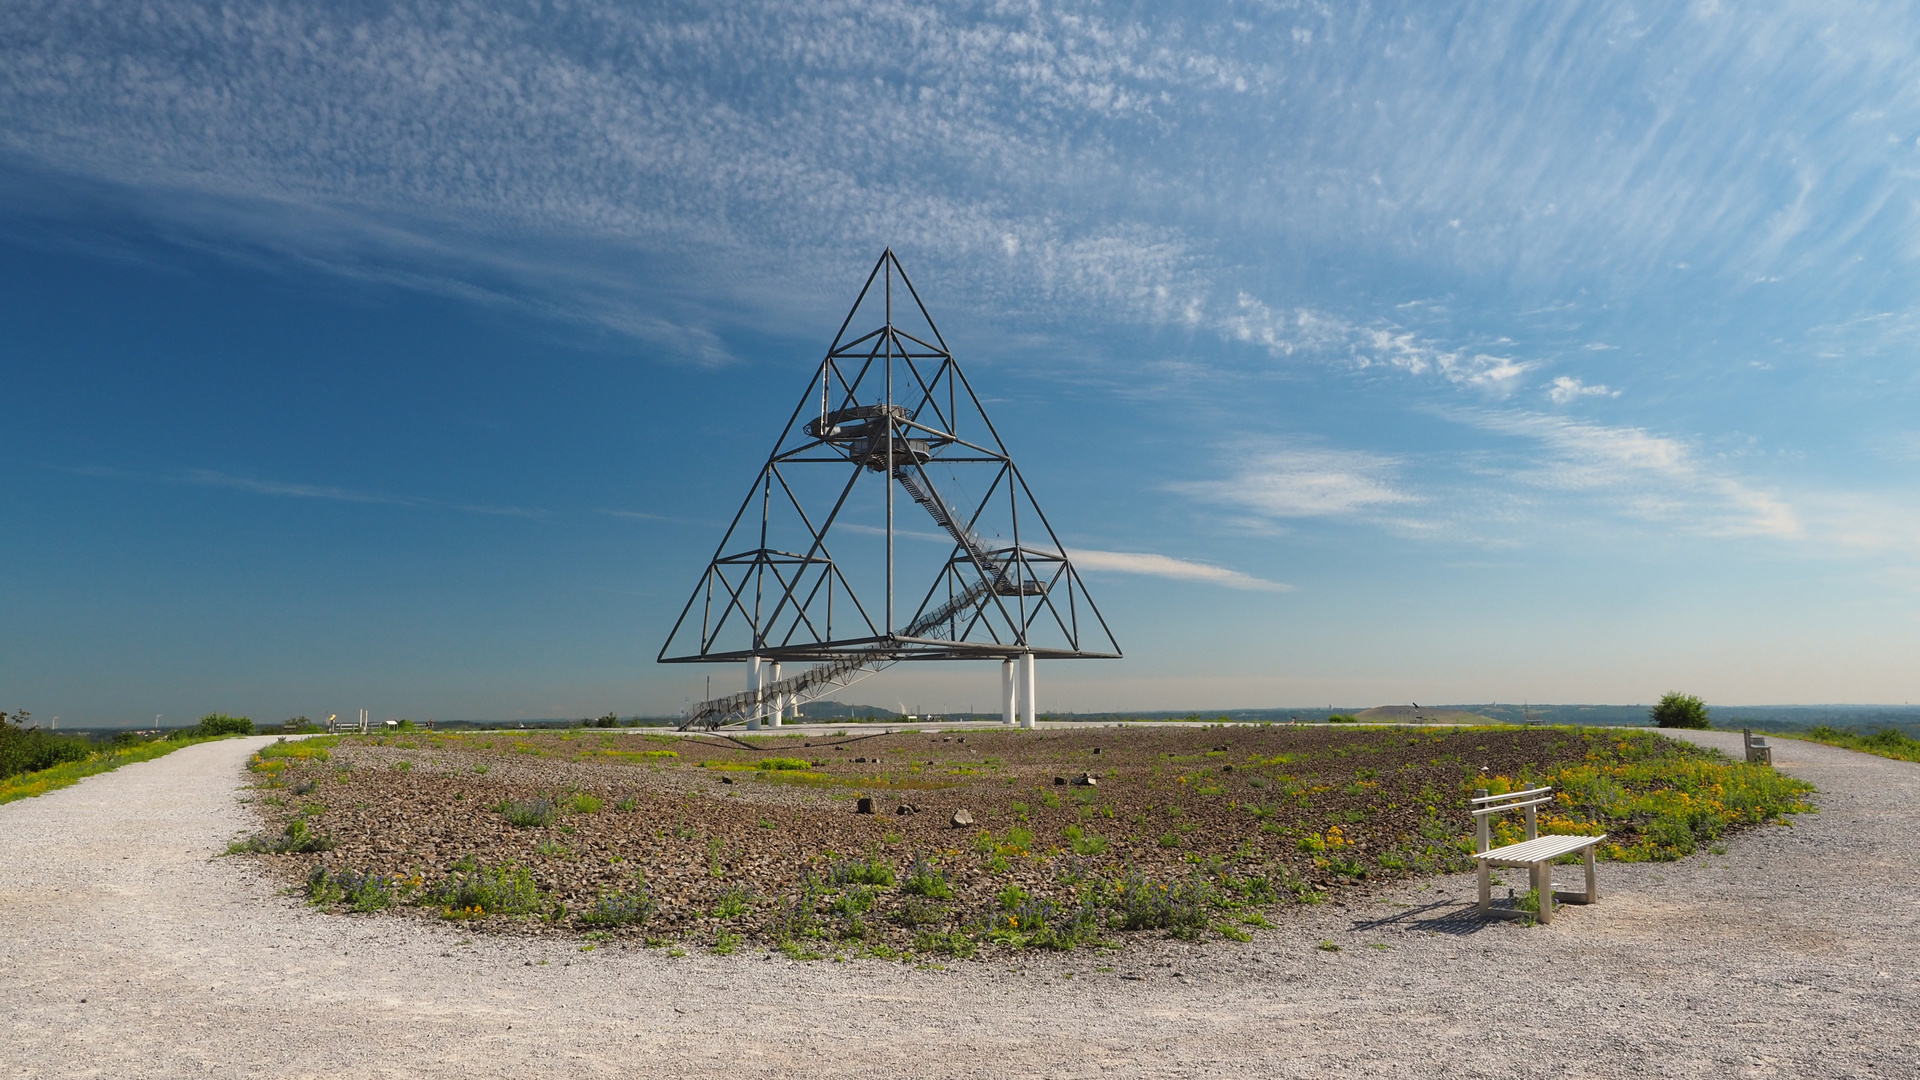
(414, 356)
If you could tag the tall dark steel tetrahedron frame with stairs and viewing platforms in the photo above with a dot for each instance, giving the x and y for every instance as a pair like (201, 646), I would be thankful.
(888, 487)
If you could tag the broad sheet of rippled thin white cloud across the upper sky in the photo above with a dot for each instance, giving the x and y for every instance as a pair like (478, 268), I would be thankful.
(1040, 159)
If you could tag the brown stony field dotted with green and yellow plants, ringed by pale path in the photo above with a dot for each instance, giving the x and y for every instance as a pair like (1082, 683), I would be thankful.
(926, 845)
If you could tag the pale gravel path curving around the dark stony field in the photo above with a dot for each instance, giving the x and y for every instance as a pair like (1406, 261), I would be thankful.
(130, 950)
